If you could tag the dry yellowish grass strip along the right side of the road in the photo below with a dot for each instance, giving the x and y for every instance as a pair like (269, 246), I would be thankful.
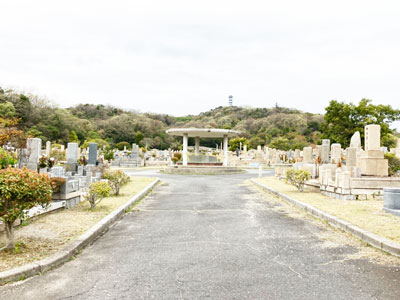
(367, 214)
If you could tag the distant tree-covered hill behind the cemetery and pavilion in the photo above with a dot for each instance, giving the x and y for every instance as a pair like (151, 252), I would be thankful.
(262, 126)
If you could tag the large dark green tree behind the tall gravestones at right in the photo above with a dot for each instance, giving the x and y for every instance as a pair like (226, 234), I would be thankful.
(342, 120)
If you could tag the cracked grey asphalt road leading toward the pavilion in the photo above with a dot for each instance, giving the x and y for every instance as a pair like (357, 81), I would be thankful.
(202, 237)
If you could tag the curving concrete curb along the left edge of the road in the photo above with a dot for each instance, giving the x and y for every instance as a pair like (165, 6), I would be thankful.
(64, 255)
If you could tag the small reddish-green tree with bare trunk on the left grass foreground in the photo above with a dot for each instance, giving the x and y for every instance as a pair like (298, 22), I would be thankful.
(20, 190)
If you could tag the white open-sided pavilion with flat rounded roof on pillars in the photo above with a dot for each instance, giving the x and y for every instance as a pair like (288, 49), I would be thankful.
(198, 133)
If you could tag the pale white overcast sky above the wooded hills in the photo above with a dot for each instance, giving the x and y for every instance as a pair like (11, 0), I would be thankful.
(185, 57)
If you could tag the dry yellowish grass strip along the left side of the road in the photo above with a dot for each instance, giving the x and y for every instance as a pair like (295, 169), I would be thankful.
(40, 237)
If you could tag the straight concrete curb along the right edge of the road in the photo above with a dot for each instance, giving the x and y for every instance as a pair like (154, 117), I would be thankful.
(370, 238)
